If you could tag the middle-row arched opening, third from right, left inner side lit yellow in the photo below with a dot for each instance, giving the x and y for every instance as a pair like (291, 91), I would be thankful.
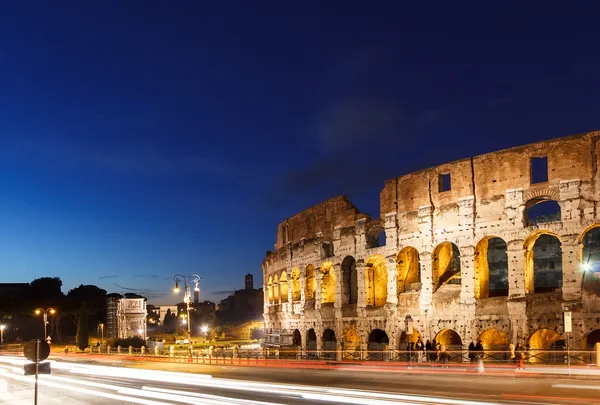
(491, 268)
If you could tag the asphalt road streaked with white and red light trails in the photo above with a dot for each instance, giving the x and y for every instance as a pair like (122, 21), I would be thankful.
(76, 383)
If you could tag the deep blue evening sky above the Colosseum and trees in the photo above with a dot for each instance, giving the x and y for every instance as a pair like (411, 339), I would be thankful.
(140, 139)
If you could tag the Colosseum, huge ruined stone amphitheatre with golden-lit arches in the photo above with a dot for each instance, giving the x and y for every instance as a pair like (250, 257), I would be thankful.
(495, 248)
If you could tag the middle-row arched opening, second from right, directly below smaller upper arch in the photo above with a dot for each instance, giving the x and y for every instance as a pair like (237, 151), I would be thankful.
(543, 263)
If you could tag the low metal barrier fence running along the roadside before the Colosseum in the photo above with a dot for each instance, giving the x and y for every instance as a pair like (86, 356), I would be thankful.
(231, 355)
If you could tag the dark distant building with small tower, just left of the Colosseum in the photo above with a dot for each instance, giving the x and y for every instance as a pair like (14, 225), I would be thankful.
(243, 305)
